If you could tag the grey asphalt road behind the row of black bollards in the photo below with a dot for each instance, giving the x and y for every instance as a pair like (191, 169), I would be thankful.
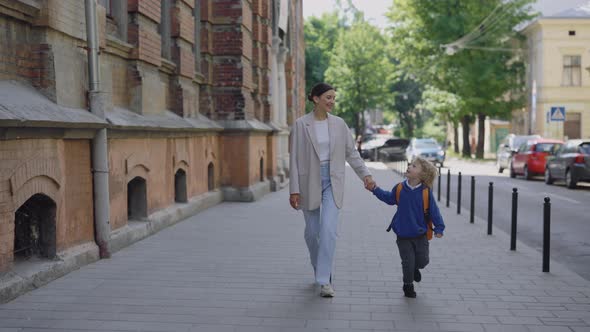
(570, 209)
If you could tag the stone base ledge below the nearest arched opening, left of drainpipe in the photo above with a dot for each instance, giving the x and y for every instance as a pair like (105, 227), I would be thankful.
(35, 273)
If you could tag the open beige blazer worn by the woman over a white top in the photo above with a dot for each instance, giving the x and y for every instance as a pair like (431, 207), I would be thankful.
(304, 176)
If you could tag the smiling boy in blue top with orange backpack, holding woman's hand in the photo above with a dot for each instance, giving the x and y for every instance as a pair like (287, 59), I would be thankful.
(416, 207)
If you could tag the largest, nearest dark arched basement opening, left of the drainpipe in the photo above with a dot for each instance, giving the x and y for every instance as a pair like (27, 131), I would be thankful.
(35, 229)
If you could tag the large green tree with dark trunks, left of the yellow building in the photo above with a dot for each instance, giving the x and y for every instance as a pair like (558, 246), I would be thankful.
(483, 72)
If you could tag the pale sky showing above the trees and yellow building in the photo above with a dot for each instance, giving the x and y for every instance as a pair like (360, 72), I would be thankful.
(374, 9)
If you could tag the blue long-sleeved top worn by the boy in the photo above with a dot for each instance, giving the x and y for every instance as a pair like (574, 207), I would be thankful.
(408, 221)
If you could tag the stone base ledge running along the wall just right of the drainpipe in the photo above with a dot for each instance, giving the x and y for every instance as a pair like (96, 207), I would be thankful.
(138, 230)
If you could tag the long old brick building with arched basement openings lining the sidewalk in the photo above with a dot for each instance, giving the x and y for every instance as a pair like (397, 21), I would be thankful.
(195, 98)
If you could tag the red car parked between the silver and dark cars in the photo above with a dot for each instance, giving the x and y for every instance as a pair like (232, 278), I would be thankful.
(530, 158)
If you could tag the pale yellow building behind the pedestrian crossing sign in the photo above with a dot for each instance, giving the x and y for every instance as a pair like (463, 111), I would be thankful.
(558, 76)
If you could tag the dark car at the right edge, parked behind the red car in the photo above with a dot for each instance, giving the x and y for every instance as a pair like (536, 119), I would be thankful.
(571, 163)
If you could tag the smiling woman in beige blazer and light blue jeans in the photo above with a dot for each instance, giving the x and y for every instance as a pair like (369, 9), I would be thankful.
(320, 144)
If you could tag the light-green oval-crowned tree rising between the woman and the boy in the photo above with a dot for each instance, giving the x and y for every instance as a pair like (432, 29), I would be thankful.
(357, 69)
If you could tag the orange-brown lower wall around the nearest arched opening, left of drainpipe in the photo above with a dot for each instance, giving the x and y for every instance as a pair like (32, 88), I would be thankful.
(32, 166)
